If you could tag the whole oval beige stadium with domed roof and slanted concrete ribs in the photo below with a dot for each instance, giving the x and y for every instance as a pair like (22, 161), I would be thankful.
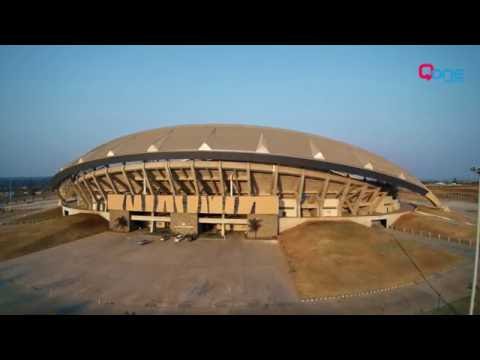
(194, 178)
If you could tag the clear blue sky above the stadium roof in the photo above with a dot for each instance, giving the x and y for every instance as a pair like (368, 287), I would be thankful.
(58, 102)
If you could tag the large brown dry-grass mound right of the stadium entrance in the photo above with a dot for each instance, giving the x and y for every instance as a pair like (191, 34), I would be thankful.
(336, 258)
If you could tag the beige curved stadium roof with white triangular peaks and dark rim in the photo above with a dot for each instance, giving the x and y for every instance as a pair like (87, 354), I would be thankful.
(246, 143)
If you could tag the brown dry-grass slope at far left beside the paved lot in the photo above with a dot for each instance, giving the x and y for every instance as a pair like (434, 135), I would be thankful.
(47, 230)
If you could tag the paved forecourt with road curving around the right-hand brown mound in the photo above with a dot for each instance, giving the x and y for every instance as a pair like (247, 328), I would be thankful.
(110, 273)
